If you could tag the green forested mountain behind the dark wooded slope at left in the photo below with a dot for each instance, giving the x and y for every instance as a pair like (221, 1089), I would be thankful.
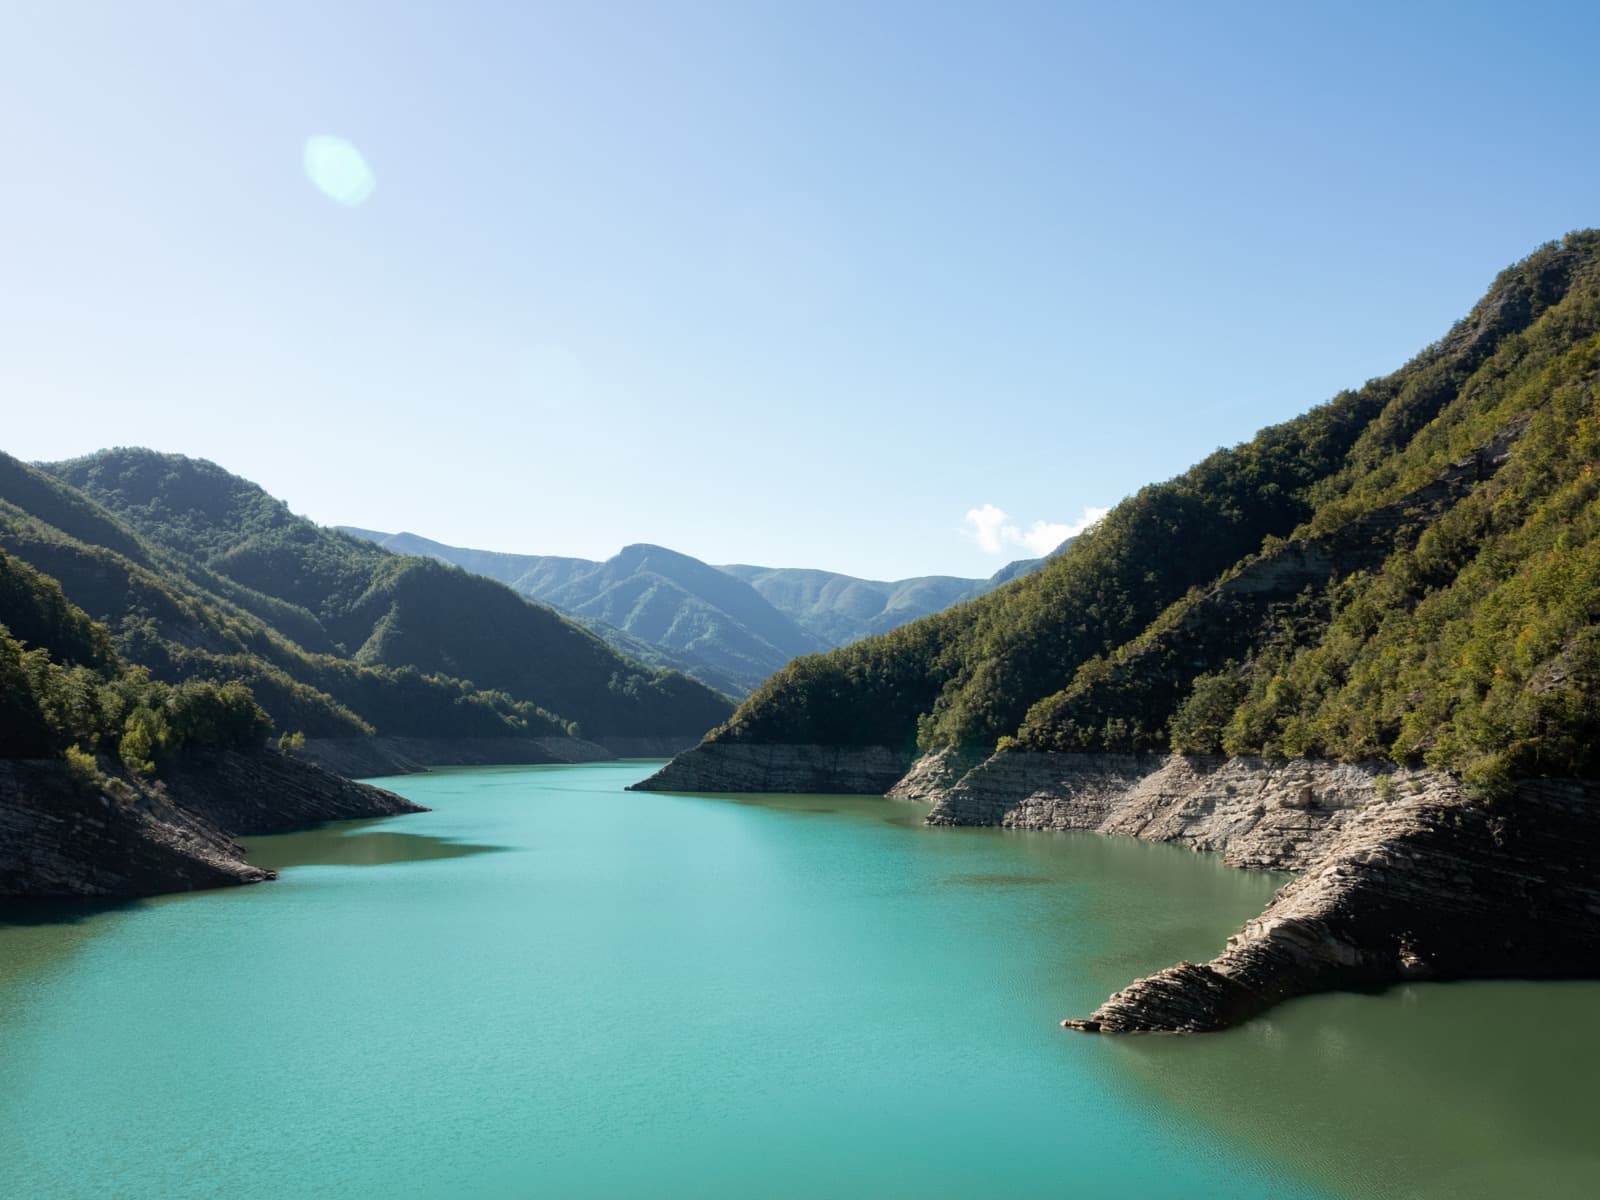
(201, 575)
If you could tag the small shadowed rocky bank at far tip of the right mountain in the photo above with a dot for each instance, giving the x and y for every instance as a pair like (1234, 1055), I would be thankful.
(745, 767)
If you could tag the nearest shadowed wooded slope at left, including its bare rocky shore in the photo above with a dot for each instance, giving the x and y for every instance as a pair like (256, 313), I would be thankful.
(114, 783)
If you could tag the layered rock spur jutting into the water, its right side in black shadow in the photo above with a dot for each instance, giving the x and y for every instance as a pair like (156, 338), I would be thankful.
(1425, 887)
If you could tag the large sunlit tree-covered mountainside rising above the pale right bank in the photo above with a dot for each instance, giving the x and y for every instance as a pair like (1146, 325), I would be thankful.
(1407, 572)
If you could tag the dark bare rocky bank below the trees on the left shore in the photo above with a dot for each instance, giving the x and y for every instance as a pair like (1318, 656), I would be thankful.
(63, 836)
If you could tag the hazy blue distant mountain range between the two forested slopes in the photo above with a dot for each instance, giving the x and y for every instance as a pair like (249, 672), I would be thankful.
(727, 626)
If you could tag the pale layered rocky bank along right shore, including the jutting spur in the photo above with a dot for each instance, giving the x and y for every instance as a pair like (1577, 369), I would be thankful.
(1406, 878)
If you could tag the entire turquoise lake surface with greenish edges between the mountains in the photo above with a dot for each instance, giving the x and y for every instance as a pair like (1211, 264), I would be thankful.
(550, 986)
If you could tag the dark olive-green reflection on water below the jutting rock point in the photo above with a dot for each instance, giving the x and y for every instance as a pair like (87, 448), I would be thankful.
(1428, 1090)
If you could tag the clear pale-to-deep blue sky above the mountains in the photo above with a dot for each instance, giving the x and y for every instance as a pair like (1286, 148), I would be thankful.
(783, 284)
